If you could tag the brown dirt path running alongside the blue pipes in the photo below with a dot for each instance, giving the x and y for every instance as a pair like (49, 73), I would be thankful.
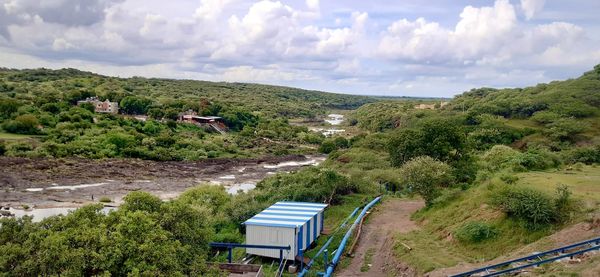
(376, 240)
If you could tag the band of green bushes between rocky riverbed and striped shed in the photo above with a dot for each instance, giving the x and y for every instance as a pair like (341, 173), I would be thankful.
(147, 236)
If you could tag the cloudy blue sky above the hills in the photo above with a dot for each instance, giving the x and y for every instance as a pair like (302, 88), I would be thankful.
(409, 47)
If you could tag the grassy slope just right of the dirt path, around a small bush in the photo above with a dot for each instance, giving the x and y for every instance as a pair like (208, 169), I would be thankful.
(434, 245)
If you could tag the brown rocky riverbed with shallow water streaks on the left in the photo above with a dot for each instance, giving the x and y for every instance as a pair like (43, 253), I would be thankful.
(40, 182)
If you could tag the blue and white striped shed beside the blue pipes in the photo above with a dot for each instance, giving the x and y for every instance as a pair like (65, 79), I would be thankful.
(296, 224)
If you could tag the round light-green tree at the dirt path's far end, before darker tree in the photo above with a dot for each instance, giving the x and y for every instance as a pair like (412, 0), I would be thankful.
(425, 176)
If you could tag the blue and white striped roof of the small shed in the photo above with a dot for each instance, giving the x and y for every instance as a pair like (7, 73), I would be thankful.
(286, 214)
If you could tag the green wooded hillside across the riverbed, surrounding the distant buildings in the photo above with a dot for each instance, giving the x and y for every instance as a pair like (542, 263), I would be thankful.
(43, 102)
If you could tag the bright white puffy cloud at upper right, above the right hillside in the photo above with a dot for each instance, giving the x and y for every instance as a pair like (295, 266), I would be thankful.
(482, 36)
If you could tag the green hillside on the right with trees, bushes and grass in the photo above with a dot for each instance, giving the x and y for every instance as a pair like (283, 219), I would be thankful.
(517, 167)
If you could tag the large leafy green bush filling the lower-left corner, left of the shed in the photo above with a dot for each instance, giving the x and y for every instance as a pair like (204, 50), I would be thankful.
(144, 237)
